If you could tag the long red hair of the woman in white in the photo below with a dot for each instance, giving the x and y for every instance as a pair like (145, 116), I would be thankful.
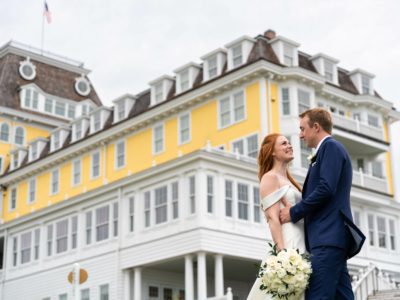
(266, 160)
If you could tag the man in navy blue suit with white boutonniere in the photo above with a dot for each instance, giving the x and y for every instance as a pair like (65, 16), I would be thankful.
(325, 199)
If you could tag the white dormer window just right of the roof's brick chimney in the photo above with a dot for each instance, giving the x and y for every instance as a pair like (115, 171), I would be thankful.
(286, 51)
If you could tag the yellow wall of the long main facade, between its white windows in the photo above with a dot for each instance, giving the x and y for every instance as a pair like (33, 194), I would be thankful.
(139, 157)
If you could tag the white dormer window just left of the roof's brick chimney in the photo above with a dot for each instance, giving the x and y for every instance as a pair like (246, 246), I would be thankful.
(239, 50)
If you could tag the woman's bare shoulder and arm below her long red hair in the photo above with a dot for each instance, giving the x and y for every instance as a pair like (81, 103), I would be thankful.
(269, 184)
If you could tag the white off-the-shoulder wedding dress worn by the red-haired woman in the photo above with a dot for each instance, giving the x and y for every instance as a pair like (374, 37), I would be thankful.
(293, 234)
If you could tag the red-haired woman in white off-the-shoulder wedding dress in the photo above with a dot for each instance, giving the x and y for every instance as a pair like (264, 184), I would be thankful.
(277, 185)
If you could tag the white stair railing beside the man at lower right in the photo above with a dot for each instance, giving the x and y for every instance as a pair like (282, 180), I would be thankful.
(369, 281)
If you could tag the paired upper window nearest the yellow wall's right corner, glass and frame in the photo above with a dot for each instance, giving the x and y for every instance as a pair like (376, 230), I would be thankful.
(231, 109)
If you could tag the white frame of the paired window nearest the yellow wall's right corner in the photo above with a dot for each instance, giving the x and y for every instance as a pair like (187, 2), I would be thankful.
(231, 109)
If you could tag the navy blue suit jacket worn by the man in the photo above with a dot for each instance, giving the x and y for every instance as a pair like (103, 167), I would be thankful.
(326, 196)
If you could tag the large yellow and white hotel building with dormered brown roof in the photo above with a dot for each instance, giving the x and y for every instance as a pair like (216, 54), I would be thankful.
(157, 196)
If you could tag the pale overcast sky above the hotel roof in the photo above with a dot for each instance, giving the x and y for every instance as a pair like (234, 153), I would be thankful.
(127, 43)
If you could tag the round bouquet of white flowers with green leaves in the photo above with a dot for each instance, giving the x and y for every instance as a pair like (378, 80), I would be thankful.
(285, 274)
